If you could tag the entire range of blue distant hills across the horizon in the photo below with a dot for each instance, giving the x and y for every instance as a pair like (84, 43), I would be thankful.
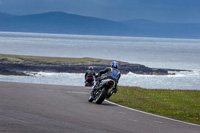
(59, 22)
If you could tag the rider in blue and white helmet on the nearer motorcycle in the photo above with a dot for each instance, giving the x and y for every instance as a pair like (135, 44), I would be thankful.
(109, 72)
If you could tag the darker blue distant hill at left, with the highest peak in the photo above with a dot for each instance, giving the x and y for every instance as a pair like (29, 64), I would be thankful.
(58, 22)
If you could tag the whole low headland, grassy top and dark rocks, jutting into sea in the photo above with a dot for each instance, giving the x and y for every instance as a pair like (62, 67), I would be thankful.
(17, 65)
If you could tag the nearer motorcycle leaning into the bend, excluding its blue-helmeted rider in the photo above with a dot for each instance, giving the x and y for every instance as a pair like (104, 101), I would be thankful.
(102, 91)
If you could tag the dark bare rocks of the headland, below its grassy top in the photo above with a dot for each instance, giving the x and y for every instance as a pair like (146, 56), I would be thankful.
(8, 67)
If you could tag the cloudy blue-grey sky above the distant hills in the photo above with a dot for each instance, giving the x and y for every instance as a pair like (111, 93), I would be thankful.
(156, 10)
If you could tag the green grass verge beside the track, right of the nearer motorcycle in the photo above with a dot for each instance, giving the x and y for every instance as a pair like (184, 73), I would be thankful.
(177, 104)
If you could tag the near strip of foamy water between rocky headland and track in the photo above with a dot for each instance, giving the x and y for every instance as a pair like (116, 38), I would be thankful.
(182, 80)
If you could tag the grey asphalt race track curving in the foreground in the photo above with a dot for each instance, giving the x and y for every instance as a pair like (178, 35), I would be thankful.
(32, 108)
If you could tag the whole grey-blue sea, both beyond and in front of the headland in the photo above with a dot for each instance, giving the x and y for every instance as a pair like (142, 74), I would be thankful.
(171, 53)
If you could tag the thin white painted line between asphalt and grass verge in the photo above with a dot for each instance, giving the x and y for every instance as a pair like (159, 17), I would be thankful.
(151, 114)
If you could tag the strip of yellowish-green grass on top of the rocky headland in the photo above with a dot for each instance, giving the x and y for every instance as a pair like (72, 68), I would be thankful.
(81, 61)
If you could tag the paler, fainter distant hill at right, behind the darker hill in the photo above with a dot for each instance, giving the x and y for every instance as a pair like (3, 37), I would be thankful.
(157, 29)
